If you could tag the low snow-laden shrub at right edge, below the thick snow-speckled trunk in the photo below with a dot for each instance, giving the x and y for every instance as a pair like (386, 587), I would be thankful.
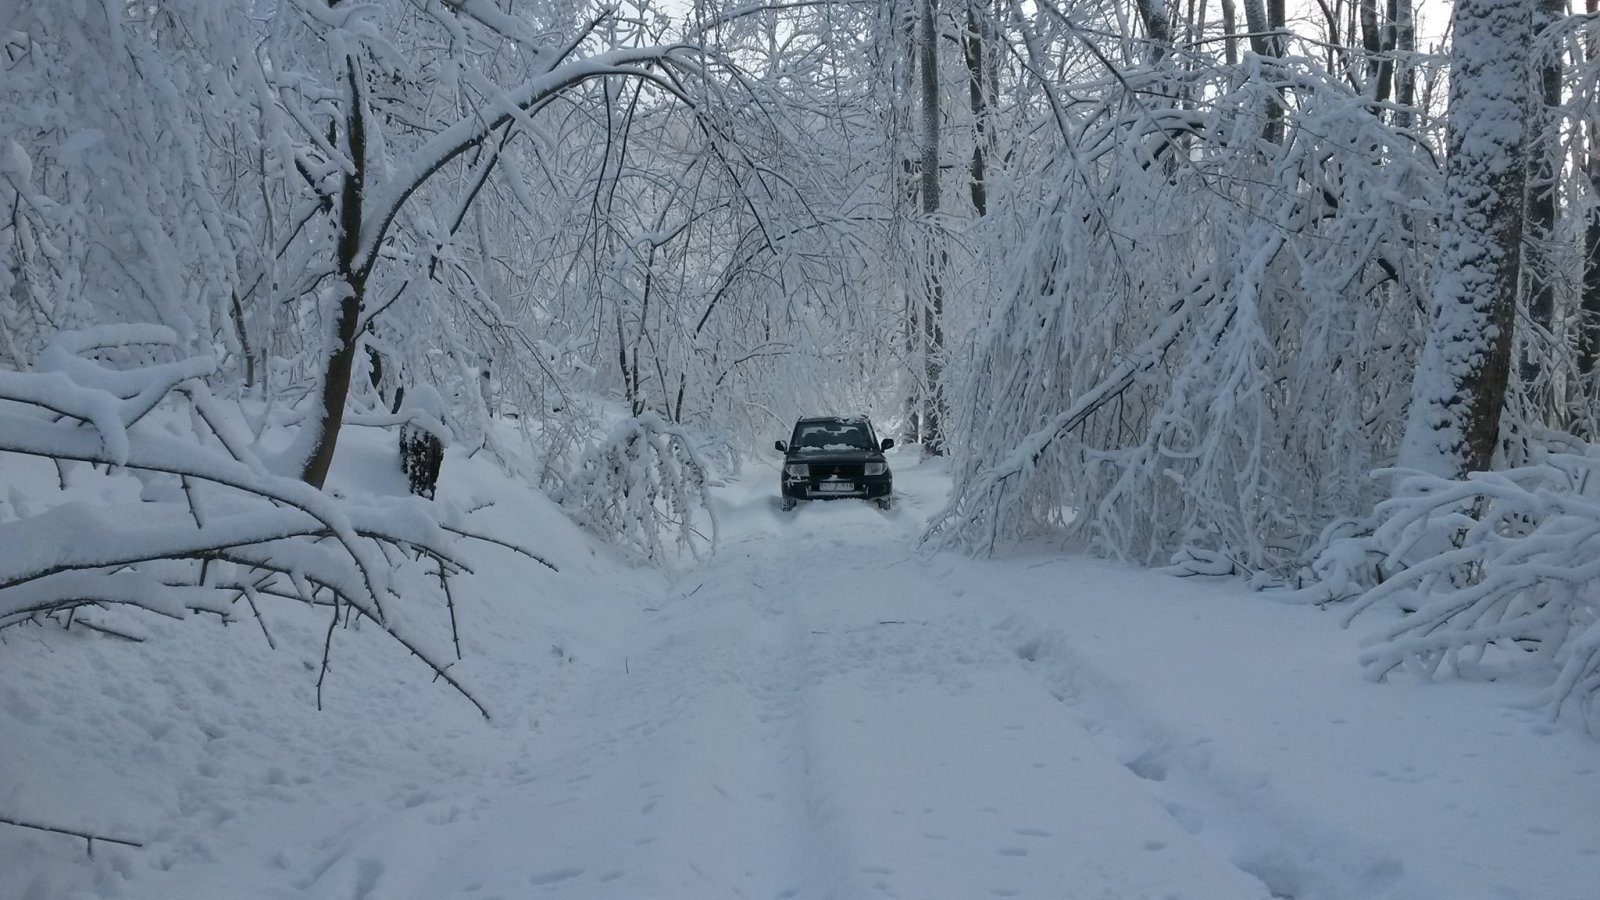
(1497, 573)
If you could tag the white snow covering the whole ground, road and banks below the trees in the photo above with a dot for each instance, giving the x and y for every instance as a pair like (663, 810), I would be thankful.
(822, 712)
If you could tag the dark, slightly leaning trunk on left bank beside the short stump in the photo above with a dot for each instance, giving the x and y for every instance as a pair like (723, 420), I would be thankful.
(353, 276)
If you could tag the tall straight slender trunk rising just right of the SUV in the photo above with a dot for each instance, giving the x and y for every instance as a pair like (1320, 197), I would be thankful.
(934, 315)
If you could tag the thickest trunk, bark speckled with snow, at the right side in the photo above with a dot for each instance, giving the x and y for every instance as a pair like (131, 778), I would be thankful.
(1460, 385)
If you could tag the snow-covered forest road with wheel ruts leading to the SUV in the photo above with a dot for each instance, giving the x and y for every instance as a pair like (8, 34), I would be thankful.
(817, 715)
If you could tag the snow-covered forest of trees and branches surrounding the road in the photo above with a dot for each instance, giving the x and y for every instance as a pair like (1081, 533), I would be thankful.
(1300, 295)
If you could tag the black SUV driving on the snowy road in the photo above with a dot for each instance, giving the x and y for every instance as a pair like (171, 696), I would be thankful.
(833, 457)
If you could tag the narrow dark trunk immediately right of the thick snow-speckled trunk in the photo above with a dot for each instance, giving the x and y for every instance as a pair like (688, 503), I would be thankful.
(1543, 155)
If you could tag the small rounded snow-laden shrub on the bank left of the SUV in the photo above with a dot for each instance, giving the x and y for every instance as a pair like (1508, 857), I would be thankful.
(646, 489)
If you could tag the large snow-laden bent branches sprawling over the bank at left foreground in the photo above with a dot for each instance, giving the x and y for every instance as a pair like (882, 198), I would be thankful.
(212, 529)
